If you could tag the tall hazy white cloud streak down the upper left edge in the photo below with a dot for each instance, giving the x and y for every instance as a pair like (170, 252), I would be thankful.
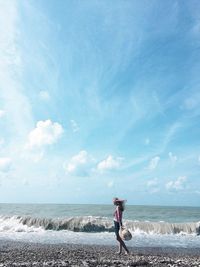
(16, 103)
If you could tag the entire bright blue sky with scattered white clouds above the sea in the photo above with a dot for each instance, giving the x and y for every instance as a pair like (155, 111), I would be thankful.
(100, 99)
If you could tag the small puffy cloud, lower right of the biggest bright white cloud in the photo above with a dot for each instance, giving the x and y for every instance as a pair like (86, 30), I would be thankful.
(79, 164)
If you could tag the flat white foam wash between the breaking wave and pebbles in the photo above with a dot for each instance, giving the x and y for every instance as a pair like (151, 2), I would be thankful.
(104, 238)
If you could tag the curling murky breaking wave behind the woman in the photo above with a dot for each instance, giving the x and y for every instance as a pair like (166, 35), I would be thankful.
(92, 224)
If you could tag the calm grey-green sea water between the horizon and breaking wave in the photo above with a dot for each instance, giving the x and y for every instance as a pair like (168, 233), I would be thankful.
(140, 213)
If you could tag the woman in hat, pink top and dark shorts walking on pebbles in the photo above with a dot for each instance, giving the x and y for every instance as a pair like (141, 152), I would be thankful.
(119, 203)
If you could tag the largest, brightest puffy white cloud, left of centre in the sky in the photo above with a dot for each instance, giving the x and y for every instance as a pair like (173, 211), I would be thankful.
(45, 133)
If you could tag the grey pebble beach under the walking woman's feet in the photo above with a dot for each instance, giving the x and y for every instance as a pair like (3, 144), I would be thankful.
(19, 253)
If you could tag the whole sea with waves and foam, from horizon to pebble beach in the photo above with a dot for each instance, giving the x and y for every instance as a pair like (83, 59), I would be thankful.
(151, 226)
